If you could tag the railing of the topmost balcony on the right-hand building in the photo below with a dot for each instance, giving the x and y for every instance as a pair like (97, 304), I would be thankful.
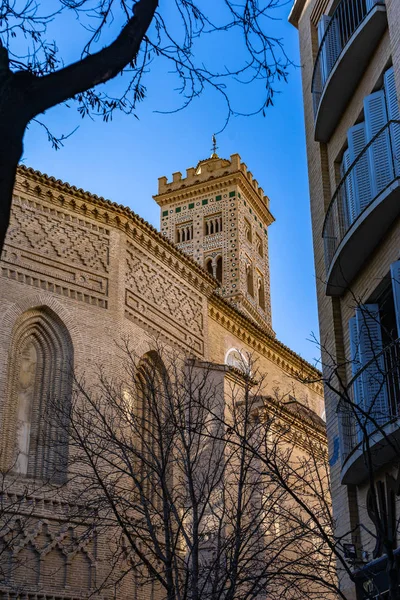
(347, 18)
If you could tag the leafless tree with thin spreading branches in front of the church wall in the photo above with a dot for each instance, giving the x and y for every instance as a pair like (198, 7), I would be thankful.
(204, 488)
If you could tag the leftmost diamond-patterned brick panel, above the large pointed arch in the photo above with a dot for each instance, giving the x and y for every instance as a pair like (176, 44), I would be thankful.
(68, 256)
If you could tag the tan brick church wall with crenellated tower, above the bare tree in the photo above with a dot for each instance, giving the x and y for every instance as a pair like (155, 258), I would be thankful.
(78, 274)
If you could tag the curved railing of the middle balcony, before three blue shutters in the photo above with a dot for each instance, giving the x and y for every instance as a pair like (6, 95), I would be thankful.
(374, 169)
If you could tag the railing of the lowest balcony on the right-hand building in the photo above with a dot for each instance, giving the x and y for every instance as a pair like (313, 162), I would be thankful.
(377, 385)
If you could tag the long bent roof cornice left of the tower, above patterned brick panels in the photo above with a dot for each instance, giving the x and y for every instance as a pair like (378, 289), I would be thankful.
(113, 215)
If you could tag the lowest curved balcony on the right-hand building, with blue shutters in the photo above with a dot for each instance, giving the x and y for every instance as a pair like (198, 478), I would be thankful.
(379, 418)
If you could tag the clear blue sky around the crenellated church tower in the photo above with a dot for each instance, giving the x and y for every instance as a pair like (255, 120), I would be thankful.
(122, 161)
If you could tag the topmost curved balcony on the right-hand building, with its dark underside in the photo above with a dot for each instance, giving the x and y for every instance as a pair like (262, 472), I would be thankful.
(346, 48)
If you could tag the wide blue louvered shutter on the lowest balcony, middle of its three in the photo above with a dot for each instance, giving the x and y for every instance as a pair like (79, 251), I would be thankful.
(373, 376)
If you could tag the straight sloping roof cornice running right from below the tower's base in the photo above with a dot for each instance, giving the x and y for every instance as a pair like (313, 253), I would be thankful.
(230, 317)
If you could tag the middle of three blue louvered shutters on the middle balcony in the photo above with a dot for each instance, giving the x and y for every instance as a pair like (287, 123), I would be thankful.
(379, 151)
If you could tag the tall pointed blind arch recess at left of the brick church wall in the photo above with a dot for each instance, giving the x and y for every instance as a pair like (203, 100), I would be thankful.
(40, 387)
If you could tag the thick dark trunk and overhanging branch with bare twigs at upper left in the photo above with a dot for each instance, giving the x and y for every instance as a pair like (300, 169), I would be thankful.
(33, 77)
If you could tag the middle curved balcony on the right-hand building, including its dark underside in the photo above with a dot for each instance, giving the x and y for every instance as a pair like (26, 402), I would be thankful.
(364, 206)
